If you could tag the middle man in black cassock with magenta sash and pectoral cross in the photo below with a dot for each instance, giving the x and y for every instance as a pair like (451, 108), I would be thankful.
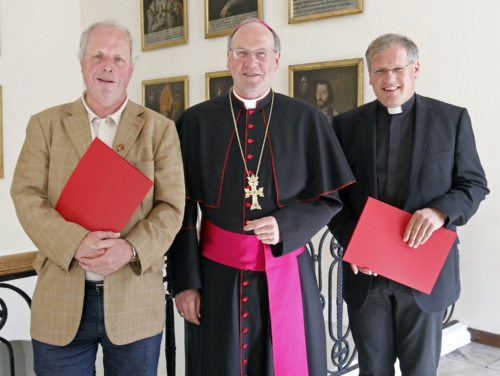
(264, 169)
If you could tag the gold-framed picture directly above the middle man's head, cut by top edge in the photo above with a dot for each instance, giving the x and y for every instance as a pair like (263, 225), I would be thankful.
(221, 16)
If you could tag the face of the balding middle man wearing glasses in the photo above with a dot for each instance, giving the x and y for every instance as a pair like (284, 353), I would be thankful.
(251, 76)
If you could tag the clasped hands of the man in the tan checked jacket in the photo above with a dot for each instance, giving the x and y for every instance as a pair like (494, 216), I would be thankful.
(103, 252)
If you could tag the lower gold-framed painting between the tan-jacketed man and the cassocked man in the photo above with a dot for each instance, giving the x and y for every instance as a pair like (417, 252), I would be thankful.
(168, 96)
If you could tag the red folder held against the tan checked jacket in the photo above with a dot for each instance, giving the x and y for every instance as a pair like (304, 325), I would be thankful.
(103, 191)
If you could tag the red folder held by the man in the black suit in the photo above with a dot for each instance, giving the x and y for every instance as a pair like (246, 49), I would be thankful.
(377, 244)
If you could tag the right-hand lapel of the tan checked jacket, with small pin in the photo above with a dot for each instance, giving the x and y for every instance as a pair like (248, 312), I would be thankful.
(129, 128)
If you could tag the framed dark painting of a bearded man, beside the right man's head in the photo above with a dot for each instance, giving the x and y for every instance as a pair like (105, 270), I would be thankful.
(333, 86)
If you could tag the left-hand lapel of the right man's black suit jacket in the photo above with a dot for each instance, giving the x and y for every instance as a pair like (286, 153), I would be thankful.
(368, 142)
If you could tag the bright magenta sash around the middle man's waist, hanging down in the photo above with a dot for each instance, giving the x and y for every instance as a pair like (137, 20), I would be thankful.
(246, 252)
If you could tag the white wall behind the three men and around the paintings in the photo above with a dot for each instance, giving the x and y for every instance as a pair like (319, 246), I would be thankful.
(459, 47)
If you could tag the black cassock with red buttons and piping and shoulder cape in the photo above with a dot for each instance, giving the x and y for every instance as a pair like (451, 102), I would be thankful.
(302, 168)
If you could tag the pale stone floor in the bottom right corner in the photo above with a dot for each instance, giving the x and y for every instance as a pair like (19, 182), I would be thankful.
(473, 359)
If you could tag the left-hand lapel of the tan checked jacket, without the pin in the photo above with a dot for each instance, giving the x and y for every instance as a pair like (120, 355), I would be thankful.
(78, 134)
